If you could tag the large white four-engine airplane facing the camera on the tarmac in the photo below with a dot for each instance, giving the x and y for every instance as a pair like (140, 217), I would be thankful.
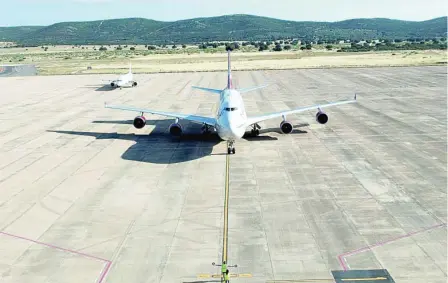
(231, 120)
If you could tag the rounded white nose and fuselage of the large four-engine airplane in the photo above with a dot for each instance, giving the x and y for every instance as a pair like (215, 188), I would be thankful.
(231, 116)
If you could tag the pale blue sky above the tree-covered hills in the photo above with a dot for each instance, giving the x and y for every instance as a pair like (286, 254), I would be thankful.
(46, 12)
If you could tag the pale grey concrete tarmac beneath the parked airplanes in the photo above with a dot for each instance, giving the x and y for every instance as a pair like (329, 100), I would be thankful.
(85, 197)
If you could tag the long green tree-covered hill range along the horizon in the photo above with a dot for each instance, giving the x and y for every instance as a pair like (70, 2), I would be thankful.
(223, 28)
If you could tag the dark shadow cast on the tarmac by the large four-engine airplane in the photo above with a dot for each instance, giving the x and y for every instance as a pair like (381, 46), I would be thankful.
(160, 147)
